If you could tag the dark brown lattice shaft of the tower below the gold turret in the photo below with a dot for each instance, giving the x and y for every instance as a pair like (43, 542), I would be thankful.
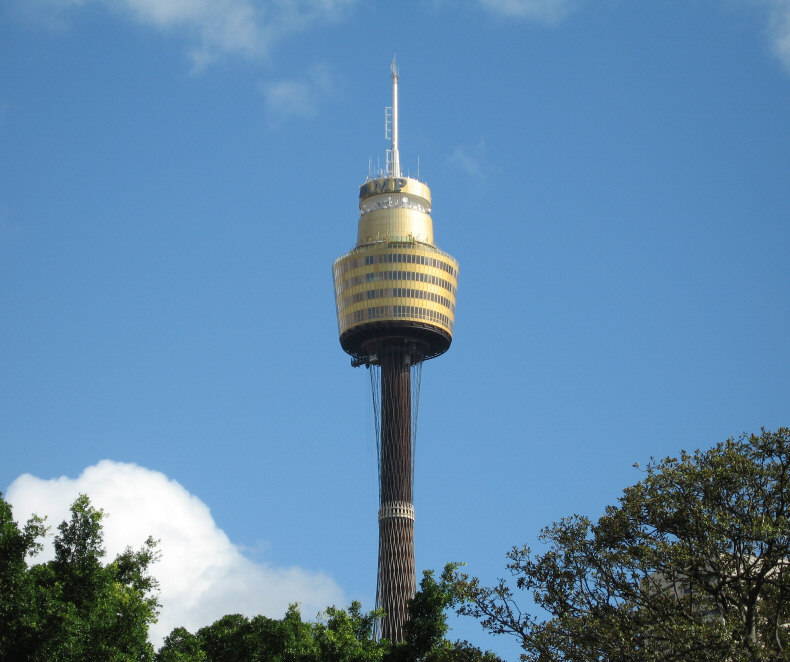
(397, 580)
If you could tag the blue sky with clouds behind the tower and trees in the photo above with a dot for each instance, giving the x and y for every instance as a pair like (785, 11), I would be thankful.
(177, 177)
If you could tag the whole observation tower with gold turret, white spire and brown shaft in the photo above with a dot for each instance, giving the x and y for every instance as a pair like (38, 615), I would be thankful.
(395, 296)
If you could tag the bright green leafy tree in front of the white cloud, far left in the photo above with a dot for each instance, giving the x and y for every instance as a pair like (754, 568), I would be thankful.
(73, 608)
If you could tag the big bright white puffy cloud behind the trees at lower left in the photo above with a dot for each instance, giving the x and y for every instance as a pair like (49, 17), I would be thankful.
(202, 574)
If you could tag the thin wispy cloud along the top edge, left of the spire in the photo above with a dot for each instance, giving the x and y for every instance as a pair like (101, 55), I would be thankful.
(246, 28)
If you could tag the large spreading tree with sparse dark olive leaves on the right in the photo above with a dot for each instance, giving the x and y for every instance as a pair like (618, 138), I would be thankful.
(692, 564)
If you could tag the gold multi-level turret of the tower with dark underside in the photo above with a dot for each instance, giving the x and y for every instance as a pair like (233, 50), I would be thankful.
(395, 284)
